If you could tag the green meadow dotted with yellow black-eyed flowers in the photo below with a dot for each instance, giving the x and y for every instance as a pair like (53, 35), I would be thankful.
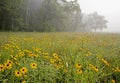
(32, 57)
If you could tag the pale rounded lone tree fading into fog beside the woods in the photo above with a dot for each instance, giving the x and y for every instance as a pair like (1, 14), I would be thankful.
(93, 21)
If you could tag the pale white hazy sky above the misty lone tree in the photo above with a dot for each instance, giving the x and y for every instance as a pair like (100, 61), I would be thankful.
(109, 8)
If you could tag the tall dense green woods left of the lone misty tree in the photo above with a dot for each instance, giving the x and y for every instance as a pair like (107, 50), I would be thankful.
(37, 15)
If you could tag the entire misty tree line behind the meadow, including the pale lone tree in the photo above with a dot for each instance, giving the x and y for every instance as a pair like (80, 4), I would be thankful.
(47, 16)
